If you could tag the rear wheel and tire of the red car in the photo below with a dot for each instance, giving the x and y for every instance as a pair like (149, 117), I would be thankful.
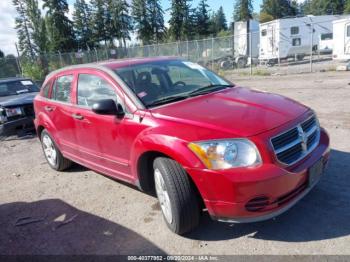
(57, 161)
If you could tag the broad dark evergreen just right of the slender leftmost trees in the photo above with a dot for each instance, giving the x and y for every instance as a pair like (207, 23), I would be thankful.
(59, 27)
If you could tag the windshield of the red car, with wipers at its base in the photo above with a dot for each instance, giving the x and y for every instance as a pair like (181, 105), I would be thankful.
(163, 82)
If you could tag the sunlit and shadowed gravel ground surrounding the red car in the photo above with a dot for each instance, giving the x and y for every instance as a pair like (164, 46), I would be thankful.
(82, 212)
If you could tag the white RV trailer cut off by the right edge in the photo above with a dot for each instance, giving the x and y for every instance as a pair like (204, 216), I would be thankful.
(341, 36)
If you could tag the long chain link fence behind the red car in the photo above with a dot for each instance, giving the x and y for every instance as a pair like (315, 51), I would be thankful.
(293, 49)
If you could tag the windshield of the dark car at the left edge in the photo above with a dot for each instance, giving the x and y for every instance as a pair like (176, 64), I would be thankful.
(17, 87)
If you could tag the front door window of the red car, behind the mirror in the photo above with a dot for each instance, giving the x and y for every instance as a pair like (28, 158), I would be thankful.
(92, 88)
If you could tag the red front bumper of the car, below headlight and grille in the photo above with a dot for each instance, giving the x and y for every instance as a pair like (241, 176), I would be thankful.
(226, 193)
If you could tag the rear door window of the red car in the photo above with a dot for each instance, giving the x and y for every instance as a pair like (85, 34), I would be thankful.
(61, 90)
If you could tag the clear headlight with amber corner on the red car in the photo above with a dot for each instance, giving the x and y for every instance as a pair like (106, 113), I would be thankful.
(225, 154)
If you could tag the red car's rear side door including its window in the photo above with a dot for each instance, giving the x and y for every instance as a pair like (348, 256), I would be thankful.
(59, 108)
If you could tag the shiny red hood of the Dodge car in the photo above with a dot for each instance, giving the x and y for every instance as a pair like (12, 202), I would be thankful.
(241, 111)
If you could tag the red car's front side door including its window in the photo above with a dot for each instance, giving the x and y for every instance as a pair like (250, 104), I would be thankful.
(100, 138)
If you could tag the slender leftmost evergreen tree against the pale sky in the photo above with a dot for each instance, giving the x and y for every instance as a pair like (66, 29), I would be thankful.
(25, 43)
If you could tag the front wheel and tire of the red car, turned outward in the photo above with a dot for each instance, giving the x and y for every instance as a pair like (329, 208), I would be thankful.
(184, 205)
